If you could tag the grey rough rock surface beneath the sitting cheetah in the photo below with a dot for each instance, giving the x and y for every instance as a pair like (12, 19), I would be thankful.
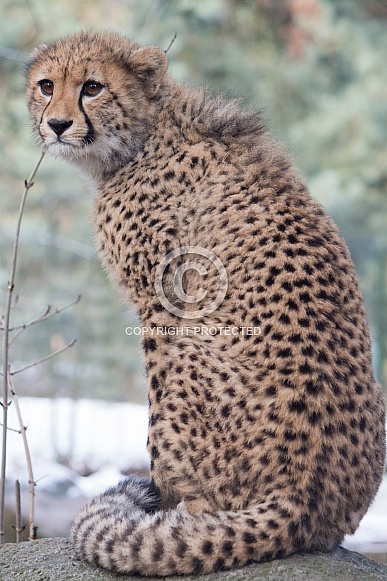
(52, 560)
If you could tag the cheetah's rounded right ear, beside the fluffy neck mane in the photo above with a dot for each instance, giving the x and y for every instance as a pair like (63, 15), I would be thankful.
(150, 65)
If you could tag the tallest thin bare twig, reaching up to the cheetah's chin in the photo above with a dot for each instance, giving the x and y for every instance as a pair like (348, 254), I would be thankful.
(27, 185)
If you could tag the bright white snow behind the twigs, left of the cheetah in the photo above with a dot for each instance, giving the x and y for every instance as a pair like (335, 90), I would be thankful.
(87, 434)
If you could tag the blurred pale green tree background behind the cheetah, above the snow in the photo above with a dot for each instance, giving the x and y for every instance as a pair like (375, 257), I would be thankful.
(316, 68)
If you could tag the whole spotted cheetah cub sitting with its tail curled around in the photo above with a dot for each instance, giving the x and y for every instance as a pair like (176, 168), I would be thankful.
(266, 424)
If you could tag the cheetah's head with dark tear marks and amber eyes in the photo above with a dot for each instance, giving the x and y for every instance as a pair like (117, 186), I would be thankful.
(93, 97)
